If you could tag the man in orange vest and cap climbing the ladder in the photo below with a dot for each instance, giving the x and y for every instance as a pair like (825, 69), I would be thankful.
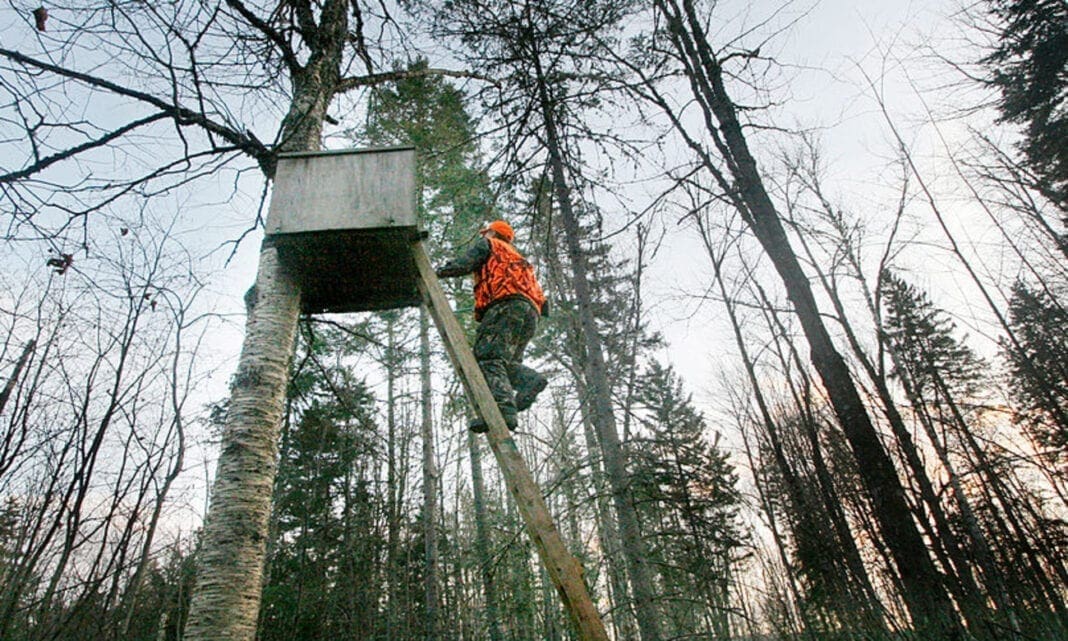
(508, 303)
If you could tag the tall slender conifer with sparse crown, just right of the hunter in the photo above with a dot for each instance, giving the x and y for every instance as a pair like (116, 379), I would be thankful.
(544, 55)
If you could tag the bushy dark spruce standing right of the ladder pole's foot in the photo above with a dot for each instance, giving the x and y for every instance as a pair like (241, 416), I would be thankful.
(686, 489)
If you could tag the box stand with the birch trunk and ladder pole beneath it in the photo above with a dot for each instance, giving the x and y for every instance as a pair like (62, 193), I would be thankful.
(342, 237)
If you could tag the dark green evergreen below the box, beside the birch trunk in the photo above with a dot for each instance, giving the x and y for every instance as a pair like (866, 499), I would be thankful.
(322, 528)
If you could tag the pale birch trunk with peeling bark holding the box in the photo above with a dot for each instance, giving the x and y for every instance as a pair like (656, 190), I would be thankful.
(226, 601)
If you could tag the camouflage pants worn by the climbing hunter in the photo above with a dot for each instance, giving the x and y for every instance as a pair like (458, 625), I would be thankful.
(499, 345)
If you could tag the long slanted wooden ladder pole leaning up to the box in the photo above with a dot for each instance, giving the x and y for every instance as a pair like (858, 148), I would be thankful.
(564, 570)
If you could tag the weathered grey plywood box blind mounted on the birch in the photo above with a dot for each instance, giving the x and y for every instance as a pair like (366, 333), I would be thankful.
(344, 224)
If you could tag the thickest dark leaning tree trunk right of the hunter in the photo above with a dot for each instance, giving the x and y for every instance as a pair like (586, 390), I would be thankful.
(723, 147)
